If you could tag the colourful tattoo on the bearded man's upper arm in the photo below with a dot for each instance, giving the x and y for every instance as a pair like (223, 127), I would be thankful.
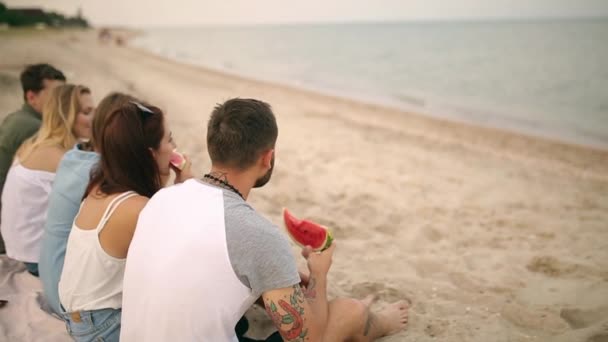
(287, 317)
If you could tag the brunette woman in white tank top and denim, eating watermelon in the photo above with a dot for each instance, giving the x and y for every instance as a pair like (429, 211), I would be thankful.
(135, 146)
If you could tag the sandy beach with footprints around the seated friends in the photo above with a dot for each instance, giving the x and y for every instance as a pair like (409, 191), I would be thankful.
(493, 236)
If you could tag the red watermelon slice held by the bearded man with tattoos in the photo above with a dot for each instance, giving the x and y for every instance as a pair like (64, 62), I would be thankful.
(307, 233)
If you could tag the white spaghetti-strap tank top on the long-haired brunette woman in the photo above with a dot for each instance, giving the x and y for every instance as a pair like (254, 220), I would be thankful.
(91, 278)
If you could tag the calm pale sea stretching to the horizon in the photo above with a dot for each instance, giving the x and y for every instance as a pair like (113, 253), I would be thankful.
(547, 78)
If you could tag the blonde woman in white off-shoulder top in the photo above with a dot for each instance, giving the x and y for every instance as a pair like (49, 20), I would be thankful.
(66, 118)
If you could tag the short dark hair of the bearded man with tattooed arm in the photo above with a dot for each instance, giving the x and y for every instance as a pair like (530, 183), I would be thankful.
(239, 130)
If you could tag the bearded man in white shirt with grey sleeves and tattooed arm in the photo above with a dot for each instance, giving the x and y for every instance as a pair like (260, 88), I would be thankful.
(219, 255)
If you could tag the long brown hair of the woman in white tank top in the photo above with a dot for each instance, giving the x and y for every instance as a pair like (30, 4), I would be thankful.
(127, 163)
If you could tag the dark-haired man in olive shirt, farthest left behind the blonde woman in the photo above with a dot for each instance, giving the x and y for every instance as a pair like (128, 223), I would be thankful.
(37, 81)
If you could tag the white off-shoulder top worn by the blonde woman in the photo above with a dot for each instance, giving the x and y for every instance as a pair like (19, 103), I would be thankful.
(25, 201)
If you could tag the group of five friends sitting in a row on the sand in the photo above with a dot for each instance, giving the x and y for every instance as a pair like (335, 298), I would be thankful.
(123, 255)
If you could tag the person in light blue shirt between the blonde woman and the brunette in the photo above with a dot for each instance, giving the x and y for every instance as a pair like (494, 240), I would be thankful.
(71, 180)
